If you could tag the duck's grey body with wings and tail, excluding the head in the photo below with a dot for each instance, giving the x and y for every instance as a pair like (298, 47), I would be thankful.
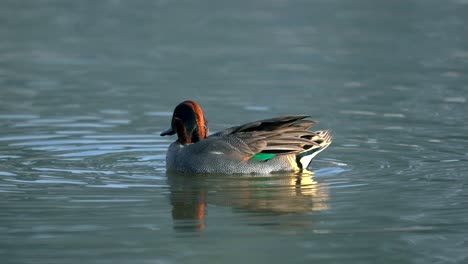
(265, 146)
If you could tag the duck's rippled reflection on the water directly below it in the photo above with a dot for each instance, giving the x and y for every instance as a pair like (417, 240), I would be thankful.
(277, 194)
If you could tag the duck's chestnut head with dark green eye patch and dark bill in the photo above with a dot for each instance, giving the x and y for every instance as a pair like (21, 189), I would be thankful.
(188, 122)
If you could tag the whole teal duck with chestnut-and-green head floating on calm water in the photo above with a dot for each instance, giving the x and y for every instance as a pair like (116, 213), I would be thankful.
(279, 144)
